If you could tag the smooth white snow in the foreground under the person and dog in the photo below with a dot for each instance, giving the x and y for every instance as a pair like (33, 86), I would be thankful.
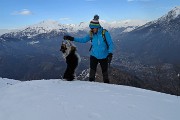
(82, 100)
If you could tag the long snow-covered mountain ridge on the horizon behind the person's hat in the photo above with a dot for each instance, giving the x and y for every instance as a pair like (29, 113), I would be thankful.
(49, 26)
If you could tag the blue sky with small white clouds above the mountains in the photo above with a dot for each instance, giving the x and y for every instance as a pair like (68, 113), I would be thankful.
(19, 13)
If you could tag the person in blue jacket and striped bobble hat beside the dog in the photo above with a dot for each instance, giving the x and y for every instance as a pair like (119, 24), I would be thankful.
(101, 50)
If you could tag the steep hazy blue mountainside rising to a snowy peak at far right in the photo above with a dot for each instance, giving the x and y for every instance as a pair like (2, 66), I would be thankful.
(156, 41)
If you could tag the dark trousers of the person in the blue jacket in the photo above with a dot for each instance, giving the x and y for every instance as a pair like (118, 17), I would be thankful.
(104, 67)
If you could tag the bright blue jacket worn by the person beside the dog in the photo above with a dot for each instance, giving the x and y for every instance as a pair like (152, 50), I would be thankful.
(99, 47)
